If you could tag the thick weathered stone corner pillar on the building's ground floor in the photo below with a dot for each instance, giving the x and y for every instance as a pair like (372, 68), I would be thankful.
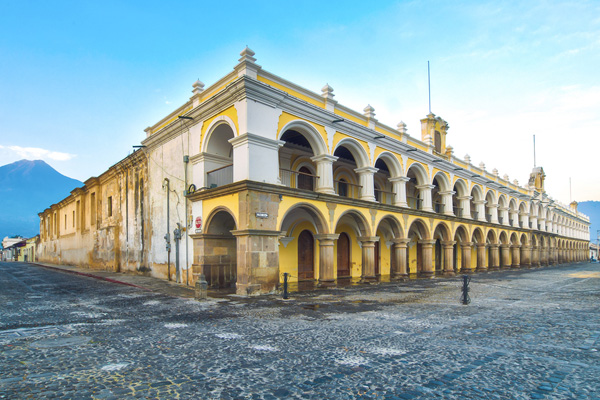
(257, 261)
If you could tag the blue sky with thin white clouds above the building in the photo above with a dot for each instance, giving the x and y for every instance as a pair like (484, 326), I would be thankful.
(79, 81)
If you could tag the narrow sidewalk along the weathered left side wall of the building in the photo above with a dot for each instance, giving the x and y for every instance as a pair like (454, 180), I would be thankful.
(139, 281)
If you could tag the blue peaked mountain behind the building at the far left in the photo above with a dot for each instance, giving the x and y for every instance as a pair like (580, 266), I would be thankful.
(27, 188)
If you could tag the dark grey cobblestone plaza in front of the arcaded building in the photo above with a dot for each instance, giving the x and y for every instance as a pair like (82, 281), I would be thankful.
(527, 334)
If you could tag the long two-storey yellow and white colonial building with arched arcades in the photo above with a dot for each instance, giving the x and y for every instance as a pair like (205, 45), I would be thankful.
(255, 176)
